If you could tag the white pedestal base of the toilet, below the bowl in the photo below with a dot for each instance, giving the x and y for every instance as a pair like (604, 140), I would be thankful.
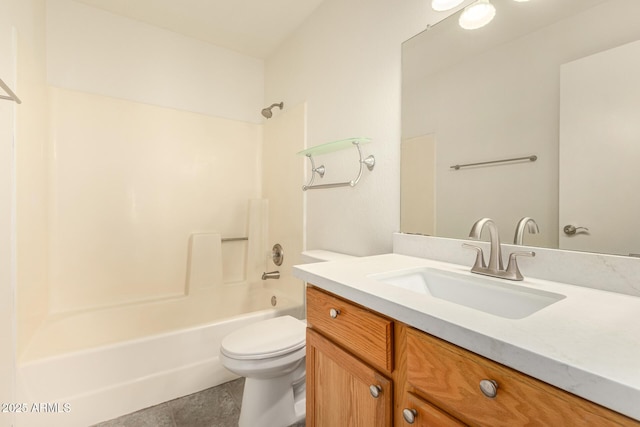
(275, 402)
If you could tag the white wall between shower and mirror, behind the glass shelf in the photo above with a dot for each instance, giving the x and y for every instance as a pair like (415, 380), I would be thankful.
(344, 61)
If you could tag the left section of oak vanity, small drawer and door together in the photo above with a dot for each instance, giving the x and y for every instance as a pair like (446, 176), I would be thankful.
(349, 362)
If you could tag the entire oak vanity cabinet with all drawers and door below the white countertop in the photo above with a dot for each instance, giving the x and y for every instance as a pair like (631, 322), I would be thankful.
(364, 369)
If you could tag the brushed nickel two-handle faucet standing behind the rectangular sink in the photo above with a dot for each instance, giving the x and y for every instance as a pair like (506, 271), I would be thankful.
(495, 267)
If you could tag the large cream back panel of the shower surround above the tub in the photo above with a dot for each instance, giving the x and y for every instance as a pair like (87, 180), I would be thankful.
(128, 184)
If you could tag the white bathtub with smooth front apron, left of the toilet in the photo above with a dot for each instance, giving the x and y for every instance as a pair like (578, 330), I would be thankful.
(96, 384)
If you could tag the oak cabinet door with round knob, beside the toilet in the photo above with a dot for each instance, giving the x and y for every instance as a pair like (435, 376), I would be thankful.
(338, 388)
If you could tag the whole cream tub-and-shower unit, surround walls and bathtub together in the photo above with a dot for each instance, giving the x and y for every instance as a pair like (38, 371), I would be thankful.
(142, 283)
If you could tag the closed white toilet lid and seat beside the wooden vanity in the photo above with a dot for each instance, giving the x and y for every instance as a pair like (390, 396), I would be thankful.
(267, 338)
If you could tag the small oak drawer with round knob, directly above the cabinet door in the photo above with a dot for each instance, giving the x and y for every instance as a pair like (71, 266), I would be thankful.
(364, 333)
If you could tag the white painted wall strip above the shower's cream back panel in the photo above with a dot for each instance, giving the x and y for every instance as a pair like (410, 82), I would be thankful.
(96, 51)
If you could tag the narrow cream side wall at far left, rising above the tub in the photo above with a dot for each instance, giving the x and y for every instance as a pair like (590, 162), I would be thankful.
(28, 17)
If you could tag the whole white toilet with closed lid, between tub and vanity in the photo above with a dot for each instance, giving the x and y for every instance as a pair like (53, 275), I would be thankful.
(270, 354)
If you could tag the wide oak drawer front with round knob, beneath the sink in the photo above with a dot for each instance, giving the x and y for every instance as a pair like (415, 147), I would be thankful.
(449, 377)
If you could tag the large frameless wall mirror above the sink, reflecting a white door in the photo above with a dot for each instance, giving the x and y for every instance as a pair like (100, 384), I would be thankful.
(552, 83)
